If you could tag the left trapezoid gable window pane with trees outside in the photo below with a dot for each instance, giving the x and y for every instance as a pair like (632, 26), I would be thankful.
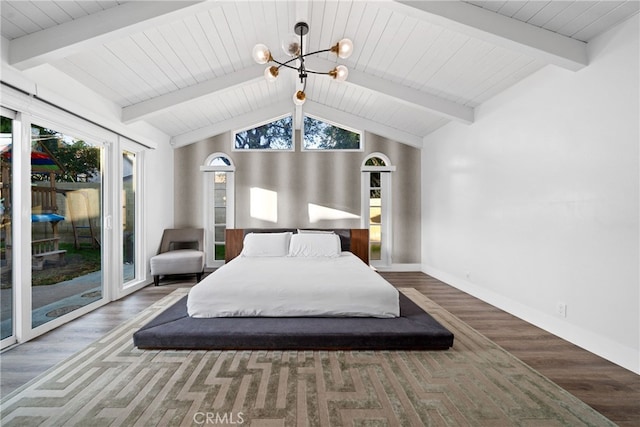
(277, 135)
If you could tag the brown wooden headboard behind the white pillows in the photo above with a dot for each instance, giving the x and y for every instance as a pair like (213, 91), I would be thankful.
(355, 240)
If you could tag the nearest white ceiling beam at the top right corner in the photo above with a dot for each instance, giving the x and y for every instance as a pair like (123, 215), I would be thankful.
(538, 43)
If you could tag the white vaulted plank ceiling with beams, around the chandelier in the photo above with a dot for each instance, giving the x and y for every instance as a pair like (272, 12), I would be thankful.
(185, 67)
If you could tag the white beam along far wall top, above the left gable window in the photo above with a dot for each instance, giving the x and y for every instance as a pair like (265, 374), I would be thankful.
(236, 123)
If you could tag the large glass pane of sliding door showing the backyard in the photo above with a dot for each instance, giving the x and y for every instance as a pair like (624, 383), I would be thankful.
(66, 219)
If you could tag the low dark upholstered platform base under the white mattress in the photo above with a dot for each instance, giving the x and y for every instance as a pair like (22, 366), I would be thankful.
(414, 330)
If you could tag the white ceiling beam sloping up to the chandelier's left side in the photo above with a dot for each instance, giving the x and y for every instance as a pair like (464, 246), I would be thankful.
(162, 103)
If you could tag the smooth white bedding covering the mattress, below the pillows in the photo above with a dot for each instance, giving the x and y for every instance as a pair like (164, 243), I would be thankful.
(294, 287)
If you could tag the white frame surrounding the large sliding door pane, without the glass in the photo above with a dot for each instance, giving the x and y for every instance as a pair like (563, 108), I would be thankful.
(29, 111)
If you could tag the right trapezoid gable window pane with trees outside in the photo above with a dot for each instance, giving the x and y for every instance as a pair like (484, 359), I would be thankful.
(319, 135)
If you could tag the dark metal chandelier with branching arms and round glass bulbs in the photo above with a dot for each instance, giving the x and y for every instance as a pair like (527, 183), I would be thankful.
(294, 48)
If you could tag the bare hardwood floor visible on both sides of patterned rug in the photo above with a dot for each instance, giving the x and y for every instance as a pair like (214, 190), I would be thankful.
(606, 387)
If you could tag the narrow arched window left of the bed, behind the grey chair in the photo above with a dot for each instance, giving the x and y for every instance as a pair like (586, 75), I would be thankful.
(219, 204)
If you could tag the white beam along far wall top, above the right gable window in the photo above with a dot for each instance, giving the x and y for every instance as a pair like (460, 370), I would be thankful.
(356, 122)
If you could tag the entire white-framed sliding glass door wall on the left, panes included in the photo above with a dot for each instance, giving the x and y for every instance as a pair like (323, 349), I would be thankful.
(70, 217)
